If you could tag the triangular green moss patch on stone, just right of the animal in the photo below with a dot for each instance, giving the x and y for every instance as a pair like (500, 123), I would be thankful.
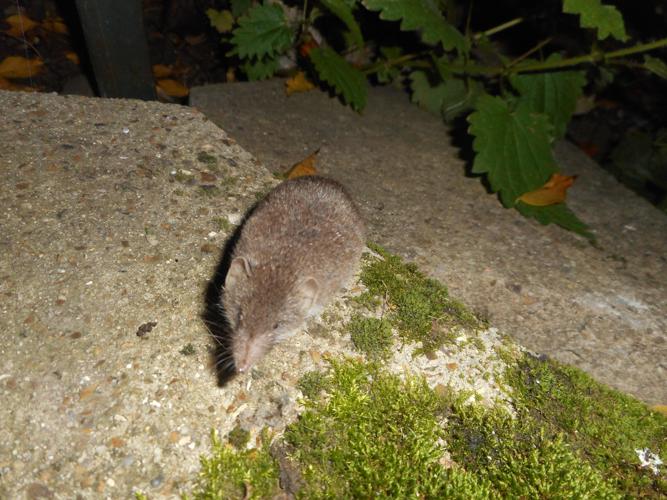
(419, 307)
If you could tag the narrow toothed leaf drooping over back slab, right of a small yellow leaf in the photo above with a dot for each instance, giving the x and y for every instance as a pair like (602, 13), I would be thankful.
(348, 82)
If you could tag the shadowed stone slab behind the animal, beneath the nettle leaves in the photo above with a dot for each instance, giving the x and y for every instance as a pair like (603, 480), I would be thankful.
(602, 308)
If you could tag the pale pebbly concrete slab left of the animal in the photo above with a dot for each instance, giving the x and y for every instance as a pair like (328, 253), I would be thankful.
(107, 225)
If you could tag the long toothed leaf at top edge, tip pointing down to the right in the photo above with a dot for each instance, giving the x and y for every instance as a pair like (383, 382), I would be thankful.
(422, 15)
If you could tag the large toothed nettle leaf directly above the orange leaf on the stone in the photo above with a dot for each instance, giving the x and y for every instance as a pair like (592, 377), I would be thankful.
(513, 147)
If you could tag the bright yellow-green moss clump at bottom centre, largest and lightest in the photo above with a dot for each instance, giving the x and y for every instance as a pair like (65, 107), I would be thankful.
(374, 435)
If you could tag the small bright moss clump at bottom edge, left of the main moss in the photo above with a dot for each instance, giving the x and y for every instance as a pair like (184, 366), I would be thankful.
(231, 473)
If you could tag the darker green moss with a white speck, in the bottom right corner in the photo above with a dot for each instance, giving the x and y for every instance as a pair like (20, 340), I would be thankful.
(601, 424)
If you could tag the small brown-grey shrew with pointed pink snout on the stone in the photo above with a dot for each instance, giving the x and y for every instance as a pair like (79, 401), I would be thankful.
(297, 248)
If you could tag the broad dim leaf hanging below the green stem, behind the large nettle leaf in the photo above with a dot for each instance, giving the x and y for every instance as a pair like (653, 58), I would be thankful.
(553, 93)
